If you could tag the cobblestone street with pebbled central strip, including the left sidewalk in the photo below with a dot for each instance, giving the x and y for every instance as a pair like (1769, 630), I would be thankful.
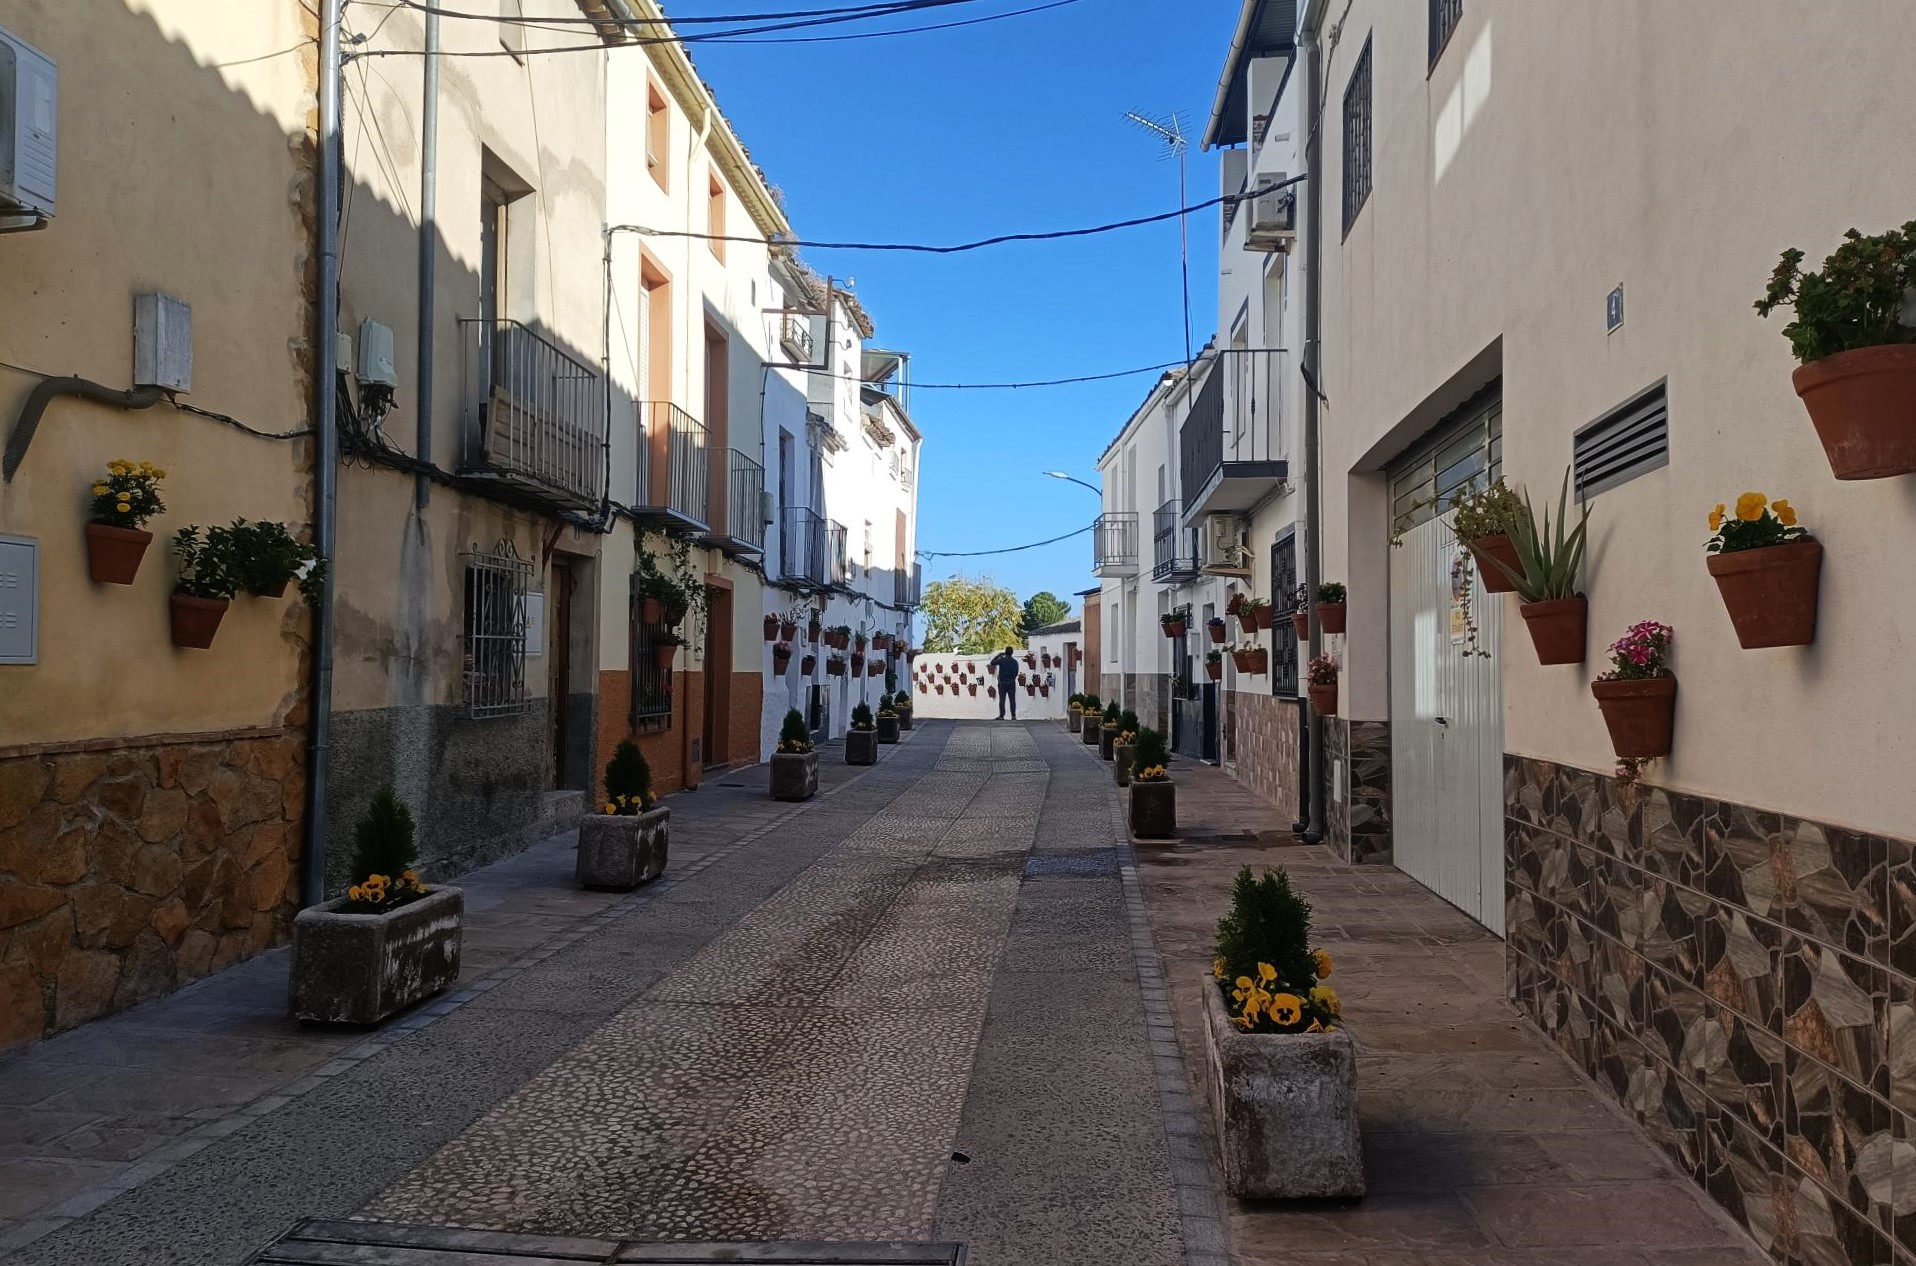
(915, 1008)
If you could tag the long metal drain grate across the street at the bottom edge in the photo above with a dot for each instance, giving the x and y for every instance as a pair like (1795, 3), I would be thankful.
(321, 1242)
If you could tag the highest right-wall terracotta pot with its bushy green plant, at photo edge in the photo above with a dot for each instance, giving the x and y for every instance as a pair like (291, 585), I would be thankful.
(1856, 334)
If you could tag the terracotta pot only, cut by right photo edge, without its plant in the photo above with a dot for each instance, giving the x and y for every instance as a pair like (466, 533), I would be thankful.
(1863, 407)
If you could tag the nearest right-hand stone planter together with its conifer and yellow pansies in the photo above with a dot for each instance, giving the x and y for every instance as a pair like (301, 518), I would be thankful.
(1281, 1064)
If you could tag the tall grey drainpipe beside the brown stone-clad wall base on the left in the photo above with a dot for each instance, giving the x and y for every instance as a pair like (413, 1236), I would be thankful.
(327, 461)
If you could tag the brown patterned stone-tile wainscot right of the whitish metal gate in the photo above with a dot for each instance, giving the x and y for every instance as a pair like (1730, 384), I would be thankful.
(1743, 982)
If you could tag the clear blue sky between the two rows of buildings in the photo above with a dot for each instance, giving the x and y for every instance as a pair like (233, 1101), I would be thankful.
(961, 135)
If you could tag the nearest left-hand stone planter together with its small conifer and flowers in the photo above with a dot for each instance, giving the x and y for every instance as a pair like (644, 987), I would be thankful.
(388, 943)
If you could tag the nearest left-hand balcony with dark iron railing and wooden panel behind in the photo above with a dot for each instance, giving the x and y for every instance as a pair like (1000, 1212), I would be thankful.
(534, 418)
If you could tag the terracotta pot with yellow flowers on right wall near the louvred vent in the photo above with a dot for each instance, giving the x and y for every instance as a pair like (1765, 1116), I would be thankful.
(1768, 570)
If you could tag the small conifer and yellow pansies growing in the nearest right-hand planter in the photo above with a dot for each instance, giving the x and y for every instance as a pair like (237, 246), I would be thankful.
(1264, 961)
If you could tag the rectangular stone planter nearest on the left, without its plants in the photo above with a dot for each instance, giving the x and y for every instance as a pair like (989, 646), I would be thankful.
(361, 968)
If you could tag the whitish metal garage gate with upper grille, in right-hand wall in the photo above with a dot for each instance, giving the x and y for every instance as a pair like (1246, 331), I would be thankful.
(1448, 700)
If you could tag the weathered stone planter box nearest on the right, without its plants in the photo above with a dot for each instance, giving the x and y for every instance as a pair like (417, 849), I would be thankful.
(1285, 1108)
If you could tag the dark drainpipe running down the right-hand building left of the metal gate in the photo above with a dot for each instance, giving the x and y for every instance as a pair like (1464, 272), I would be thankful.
(1315, 784)
